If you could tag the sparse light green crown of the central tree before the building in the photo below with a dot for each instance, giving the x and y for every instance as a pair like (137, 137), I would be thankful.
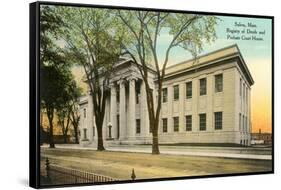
(189, 31)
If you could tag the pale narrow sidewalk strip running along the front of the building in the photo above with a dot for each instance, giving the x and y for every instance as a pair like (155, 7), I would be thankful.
(225, 152)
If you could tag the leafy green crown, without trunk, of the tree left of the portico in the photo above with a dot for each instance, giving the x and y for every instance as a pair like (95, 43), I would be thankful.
(91, 38)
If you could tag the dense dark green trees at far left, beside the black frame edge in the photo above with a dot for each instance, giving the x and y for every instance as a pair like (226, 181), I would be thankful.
(58, 90)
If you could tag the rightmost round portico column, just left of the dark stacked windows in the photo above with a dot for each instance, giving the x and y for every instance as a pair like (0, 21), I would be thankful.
(132, 109)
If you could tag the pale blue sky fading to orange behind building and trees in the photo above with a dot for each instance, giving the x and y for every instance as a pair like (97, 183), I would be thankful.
(255, 51)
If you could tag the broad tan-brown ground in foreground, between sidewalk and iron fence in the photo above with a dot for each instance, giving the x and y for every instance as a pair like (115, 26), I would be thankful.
(120, 164)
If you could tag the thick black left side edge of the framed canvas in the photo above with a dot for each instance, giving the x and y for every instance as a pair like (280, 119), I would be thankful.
(34, 131)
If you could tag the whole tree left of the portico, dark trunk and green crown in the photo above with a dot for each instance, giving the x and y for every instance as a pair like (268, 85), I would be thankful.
(93, 41)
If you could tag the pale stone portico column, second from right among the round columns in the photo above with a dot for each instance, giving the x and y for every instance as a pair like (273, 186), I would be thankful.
(122, 109)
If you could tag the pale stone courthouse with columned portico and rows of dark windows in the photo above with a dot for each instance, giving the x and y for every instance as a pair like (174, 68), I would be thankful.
(207, 100)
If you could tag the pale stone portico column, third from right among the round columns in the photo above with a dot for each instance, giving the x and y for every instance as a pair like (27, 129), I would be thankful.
(113, 110)
